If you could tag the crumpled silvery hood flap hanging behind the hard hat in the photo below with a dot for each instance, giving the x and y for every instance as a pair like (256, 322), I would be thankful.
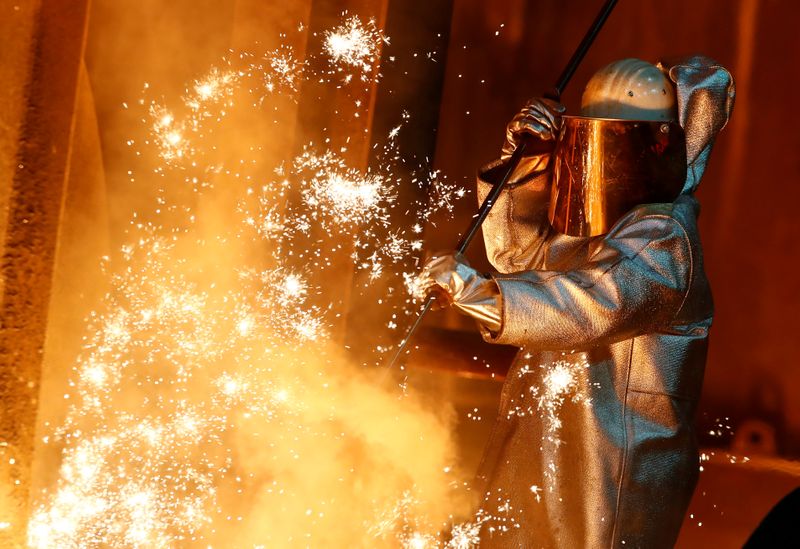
(705, 92)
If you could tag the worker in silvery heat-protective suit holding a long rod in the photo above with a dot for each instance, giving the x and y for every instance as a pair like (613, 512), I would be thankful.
(600, 283)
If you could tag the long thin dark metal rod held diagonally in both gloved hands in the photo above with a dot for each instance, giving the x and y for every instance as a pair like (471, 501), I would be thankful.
(513, 162)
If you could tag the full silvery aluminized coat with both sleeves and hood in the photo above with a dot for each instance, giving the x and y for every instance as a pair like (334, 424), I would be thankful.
(594, 444)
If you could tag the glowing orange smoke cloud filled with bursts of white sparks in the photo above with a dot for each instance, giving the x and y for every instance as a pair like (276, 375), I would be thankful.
(210, 404)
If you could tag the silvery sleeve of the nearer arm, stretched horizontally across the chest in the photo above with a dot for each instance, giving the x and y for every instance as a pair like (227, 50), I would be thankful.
(635, 281)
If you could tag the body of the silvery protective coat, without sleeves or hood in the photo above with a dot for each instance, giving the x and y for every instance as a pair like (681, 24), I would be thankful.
(595, 447)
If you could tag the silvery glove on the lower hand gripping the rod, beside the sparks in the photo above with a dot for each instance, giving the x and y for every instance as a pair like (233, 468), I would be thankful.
(452, 281)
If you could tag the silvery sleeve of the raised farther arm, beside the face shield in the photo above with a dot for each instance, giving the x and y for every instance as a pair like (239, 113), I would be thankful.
(516, 229)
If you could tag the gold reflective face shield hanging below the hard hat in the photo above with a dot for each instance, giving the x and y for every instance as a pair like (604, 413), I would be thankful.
(602, 168)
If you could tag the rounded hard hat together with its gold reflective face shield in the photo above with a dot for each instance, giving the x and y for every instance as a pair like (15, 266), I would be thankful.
(626, 149)
